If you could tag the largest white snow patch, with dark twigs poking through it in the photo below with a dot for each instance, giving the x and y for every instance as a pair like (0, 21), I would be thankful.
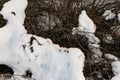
(22, 51)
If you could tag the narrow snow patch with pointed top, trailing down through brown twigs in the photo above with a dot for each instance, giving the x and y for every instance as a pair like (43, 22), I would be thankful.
(87, 28)
